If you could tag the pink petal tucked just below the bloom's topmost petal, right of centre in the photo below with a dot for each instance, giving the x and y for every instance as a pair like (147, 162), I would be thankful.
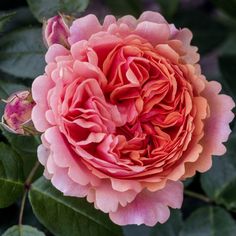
(155, 33)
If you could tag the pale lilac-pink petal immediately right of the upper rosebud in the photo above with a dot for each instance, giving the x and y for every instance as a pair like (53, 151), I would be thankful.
(83, 28)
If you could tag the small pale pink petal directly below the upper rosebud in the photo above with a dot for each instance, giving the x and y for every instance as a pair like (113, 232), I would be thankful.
(55, 51)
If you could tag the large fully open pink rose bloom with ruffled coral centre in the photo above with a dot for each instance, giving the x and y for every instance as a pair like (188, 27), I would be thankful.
(126, 114)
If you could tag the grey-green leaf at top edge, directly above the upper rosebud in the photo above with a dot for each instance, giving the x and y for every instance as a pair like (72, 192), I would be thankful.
(44, 9)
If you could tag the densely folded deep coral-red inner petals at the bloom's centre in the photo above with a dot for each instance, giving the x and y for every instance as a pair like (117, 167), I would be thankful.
(132, 115)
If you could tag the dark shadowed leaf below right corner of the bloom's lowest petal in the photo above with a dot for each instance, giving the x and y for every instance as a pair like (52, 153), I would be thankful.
(171, 228)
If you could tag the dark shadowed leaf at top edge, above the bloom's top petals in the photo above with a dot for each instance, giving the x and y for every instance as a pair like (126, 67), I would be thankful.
(123, 7)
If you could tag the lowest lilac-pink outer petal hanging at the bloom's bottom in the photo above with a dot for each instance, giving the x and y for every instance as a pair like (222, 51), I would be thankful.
(150, 207)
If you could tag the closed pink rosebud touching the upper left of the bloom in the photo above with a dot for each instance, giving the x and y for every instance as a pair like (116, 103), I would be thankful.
(56, 30)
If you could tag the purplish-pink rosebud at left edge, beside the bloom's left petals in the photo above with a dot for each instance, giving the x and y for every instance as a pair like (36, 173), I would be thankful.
(17, 113)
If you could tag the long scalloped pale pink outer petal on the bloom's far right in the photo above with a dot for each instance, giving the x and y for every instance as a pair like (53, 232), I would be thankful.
(216, 128)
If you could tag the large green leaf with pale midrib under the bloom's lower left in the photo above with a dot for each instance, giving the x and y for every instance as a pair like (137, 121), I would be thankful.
(66, 215)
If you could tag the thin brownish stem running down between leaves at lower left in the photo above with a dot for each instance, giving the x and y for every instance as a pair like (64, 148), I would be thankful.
(27, 187)
